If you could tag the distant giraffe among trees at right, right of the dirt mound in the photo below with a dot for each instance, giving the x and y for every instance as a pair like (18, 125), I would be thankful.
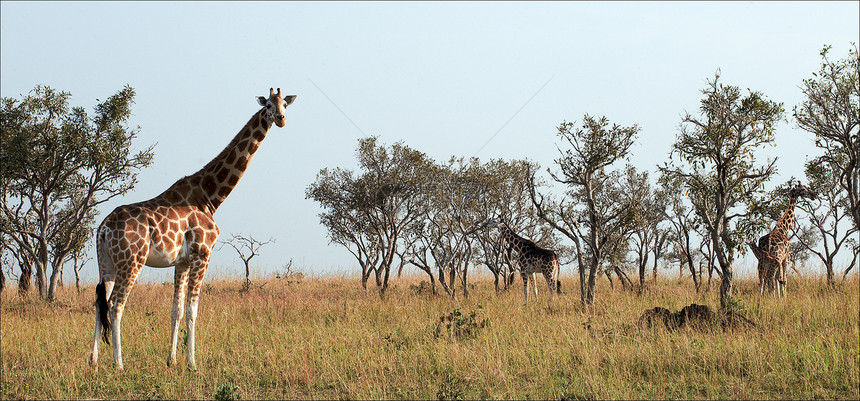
(773, 248)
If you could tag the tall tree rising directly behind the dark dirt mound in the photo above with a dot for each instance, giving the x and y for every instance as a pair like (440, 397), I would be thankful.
(716, 166)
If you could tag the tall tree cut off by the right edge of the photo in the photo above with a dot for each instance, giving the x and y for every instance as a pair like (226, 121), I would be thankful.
(831, 112)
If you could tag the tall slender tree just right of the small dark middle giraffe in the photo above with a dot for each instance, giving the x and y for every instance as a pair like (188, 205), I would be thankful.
(593, 211)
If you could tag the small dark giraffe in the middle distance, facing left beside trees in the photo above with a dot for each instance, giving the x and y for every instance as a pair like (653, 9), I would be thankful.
(531, 258)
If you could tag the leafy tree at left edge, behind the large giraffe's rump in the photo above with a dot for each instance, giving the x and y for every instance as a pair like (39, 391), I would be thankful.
(59, 163)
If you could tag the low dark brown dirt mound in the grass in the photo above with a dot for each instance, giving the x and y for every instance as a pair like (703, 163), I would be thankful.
(700, 317)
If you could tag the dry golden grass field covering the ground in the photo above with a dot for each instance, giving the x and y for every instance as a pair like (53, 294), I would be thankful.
(328, 338)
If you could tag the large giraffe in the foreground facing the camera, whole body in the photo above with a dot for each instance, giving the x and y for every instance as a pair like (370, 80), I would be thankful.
(175, 228)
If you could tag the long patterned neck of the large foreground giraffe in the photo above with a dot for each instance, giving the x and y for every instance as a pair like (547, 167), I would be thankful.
(209, 187)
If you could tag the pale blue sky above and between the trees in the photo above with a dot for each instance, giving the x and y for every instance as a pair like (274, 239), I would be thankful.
(443, 77)
